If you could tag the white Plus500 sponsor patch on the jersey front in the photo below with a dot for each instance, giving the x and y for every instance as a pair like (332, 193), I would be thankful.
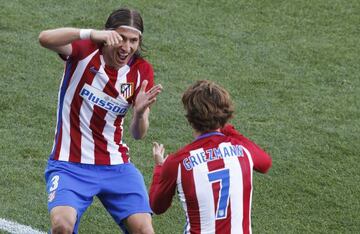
(101, 99)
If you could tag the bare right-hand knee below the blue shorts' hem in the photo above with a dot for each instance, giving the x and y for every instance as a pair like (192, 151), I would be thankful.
(139, 223)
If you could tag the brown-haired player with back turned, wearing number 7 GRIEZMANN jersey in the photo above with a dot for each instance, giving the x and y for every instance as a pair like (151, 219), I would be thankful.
(212, 174)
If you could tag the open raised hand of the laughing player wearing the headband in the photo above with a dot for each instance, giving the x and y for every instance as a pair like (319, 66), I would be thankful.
(144, 98)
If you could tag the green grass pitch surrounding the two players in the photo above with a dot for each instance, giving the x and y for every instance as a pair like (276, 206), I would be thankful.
(292, 68)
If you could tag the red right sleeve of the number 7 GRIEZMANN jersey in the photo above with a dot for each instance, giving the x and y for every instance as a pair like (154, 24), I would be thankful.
(262, 161)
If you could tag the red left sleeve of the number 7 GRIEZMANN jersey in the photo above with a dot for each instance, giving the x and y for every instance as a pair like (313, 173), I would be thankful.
(163, 186)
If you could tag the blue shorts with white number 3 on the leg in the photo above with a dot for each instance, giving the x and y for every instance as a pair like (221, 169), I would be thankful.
(120, 188)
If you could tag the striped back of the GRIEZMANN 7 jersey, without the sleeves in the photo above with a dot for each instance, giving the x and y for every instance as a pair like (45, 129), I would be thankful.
(215, 185)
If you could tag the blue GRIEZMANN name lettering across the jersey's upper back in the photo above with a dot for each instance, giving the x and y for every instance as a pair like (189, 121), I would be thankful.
(223, 151)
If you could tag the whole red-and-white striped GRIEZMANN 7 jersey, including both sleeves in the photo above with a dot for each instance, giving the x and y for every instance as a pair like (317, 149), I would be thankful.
(213, 179)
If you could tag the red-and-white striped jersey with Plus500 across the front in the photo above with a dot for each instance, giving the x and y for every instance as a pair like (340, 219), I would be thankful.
(92, 102)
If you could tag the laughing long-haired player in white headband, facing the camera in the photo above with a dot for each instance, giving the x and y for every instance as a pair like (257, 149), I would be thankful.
(104, 76)
